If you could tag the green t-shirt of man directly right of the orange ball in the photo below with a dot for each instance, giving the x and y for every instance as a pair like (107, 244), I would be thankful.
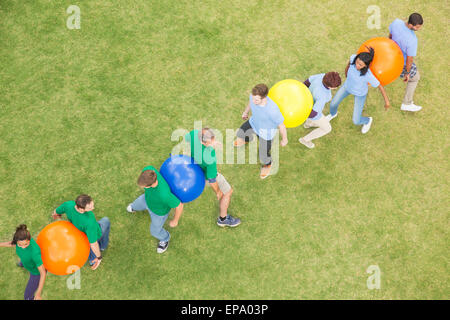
(84, 222)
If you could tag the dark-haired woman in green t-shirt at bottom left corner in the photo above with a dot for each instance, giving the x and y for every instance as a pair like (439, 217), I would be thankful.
(30, 258)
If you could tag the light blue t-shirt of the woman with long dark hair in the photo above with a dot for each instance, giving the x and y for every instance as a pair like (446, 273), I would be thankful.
(357, 84)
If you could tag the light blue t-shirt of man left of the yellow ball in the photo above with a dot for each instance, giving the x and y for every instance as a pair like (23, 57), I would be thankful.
(265, 119)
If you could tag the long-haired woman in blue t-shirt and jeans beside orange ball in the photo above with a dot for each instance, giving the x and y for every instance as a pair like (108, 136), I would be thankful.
(358, 77)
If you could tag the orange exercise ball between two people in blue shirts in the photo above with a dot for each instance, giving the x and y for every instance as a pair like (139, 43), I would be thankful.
(388, 61)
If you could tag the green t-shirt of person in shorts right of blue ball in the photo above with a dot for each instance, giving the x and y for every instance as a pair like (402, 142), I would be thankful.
(204, 156)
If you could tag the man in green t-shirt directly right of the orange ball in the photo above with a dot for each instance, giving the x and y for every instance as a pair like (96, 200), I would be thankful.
(79, 212)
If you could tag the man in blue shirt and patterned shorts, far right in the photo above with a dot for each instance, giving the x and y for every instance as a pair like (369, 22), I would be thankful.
(403, 33)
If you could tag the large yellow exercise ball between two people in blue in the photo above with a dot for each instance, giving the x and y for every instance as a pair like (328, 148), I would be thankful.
(294, 100)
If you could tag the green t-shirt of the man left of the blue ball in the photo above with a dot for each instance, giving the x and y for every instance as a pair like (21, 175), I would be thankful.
(160, 199)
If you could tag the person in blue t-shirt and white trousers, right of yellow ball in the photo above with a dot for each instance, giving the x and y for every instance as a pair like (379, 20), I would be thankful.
(320, 86)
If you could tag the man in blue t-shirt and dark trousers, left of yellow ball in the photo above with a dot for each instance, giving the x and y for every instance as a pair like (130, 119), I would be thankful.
(265, 120)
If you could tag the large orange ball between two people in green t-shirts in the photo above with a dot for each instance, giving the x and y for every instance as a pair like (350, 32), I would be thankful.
(64, 248)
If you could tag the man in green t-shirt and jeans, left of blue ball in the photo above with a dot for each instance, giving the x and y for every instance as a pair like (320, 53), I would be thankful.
(158, 200)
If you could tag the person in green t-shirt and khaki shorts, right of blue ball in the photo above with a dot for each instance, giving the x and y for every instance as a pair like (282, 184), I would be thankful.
(202, 143)
